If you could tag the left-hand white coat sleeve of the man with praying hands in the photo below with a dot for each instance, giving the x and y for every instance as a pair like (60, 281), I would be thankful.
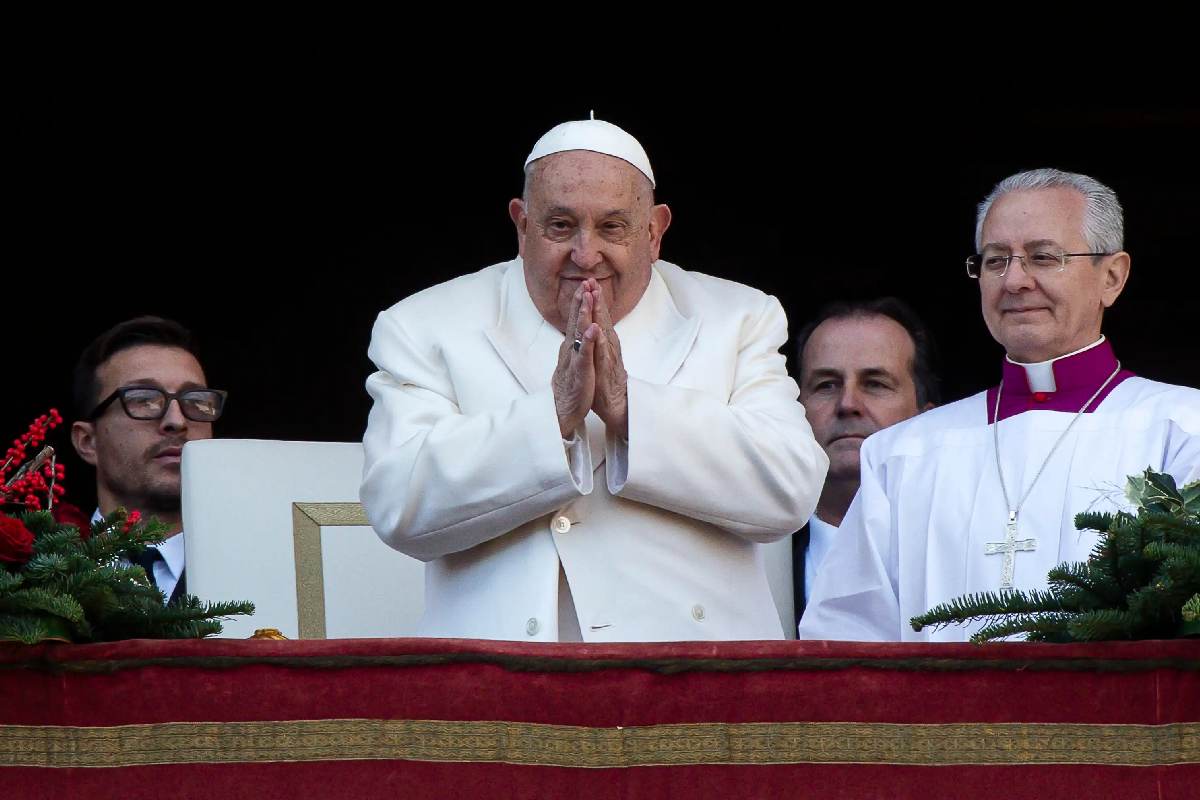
(439, 482)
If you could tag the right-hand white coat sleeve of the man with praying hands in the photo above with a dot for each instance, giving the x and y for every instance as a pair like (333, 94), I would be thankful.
(747, 465)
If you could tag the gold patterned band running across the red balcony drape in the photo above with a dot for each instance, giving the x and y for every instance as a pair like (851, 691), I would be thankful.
(550, 745)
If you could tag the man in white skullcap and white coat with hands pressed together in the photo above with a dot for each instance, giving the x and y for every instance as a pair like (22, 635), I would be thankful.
(587, 443)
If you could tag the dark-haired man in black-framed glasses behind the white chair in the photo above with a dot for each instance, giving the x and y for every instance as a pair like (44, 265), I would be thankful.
(142, 395)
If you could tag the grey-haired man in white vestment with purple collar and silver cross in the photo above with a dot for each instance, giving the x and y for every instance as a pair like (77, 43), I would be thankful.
(982, 495)
